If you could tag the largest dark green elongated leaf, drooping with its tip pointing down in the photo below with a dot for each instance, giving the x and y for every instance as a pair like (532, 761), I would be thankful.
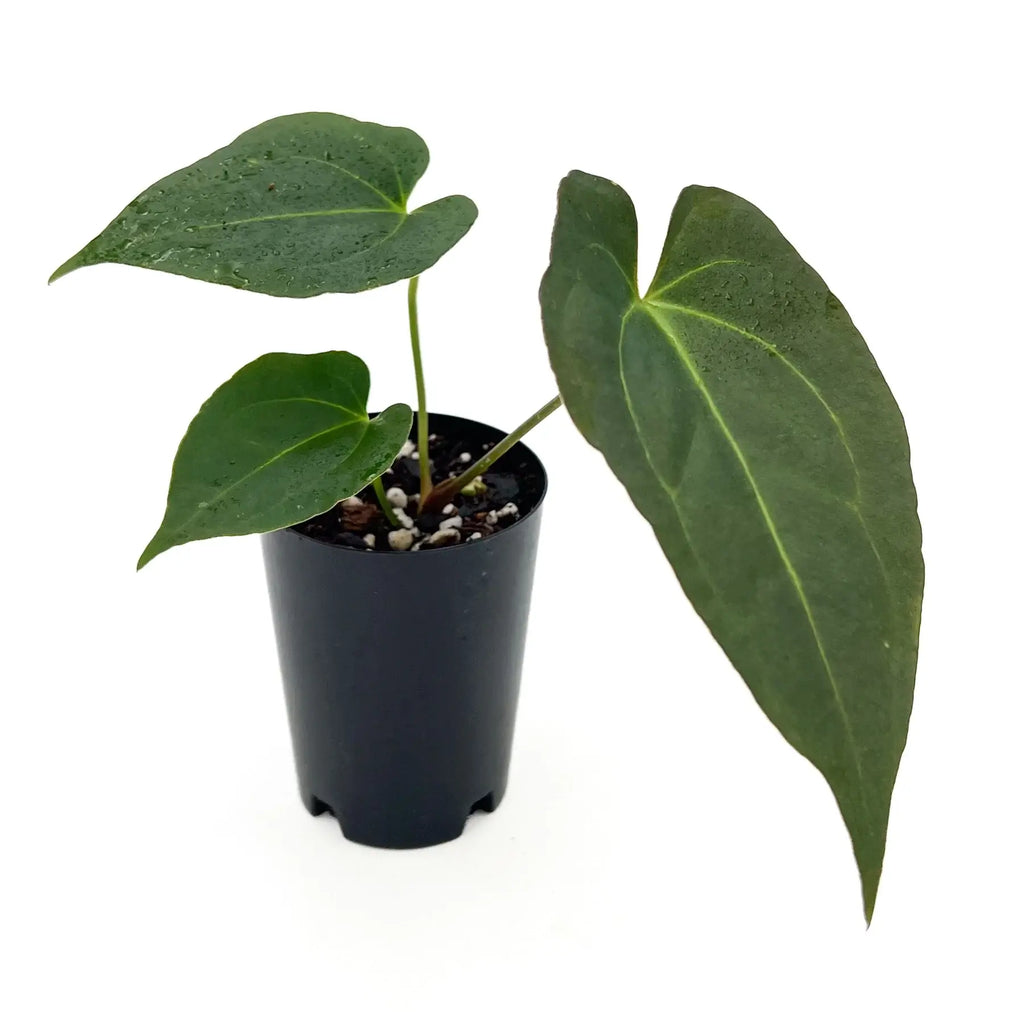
(746, 416)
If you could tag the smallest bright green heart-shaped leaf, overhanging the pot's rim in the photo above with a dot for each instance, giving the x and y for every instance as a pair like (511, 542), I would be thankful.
(286, 439)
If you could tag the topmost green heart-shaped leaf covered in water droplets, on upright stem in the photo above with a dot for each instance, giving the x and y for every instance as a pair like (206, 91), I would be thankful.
(301, 205)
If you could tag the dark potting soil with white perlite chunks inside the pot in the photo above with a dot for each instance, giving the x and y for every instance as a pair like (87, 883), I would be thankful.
(513, 480)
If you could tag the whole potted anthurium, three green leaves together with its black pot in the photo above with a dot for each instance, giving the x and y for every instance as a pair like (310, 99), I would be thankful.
(734, 399)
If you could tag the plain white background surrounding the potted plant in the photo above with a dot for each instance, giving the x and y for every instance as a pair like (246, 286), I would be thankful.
(662, 855)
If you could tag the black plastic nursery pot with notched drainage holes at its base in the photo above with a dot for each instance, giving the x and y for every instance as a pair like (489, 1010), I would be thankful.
(402, 669)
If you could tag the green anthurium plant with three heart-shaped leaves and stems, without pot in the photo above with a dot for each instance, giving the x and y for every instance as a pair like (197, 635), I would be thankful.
(734, 398)
